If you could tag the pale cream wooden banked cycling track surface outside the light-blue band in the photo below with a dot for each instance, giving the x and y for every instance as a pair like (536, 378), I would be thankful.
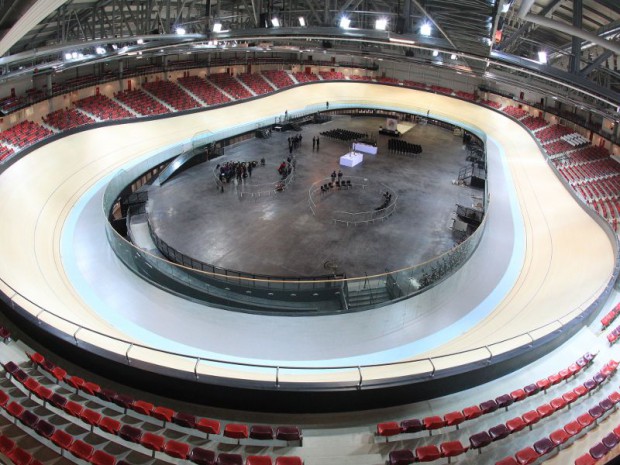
(568, 259)
